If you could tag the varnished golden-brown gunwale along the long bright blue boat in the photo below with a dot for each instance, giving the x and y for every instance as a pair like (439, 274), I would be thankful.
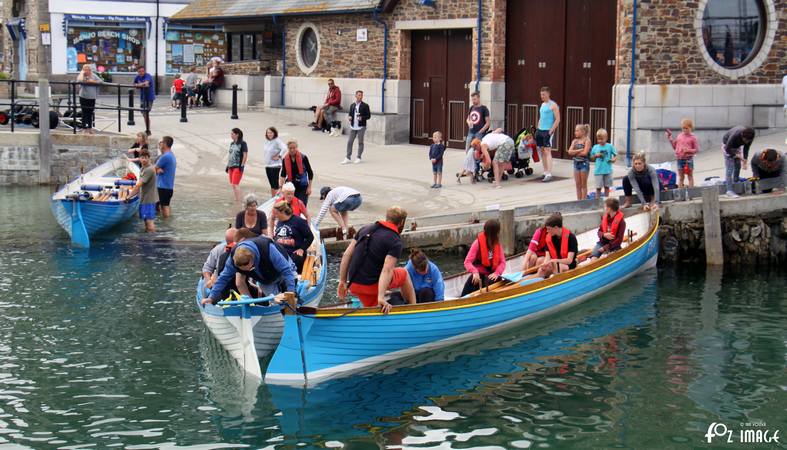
(492, 297)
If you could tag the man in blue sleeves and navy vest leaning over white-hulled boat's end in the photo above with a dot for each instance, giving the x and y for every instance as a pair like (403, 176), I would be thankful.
(263, 261)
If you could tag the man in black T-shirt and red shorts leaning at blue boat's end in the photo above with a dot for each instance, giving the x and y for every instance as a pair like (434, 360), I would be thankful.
(368, 268)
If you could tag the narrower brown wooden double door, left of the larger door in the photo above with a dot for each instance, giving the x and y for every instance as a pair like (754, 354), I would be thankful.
(441, 69)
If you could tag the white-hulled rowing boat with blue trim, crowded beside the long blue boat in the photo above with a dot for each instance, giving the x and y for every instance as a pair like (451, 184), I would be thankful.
(249, 329)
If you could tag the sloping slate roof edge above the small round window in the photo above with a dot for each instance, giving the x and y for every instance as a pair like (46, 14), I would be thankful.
(224, 9)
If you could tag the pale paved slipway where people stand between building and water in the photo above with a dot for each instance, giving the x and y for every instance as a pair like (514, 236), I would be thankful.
(389, 175)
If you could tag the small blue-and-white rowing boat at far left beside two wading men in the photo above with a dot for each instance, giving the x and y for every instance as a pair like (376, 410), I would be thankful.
(93, 202)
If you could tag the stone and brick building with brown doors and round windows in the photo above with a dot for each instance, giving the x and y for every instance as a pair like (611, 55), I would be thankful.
(718, 62)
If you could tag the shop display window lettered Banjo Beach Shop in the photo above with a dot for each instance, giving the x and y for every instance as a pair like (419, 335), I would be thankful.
(109, 47)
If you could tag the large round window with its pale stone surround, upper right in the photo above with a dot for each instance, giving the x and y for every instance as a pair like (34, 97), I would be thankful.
(735, 35)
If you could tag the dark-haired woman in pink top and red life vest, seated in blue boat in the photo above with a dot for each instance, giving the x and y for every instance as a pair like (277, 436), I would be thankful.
(485, 260)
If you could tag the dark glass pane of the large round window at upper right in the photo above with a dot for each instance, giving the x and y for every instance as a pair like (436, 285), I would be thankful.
(732, 30)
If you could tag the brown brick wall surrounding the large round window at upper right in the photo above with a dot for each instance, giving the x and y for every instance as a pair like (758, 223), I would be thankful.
(668, 48)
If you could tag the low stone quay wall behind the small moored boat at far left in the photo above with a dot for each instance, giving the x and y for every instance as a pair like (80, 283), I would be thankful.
(71, 155)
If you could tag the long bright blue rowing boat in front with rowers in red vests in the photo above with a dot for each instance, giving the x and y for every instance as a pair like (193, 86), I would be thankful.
(333, 342)
